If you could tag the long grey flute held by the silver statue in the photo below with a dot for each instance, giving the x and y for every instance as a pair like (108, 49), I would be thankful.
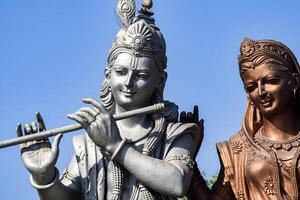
(75, 127)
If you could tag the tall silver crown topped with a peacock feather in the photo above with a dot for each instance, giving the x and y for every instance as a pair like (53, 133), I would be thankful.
(139, 36)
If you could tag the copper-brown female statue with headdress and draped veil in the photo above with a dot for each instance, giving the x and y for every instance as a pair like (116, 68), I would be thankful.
(261, 162)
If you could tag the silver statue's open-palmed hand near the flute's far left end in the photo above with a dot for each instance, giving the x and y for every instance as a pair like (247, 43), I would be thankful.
(39, 157)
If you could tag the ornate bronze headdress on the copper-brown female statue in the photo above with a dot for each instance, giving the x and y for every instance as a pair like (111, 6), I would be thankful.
(251, 49)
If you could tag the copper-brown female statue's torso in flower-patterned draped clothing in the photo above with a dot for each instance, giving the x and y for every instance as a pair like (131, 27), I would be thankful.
(258, 171)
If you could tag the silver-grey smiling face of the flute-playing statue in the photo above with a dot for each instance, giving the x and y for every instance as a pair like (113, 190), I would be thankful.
(133, 81)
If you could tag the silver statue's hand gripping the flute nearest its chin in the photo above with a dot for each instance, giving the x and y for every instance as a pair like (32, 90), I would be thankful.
(99, 124)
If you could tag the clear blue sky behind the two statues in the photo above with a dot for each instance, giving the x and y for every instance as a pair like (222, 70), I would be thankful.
(53, 53)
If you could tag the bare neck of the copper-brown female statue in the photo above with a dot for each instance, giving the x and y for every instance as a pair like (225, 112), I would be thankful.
(281, 126)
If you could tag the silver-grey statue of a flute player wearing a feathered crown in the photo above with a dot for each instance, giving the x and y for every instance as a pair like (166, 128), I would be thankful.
(141, 157)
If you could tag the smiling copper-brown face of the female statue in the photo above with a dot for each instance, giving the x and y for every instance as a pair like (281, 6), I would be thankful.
(269, 89)
